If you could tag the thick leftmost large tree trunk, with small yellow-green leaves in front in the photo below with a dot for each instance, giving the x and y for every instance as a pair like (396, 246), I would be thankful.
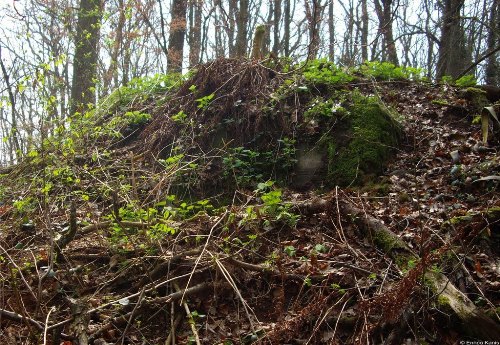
(86, 55)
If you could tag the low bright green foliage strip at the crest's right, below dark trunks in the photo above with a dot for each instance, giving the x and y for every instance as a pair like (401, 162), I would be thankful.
(388, 71)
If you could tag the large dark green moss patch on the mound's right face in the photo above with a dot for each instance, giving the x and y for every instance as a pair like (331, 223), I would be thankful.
(373, 135)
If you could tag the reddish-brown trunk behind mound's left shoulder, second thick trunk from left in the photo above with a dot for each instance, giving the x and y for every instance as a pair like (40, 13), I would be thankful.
(176, 36)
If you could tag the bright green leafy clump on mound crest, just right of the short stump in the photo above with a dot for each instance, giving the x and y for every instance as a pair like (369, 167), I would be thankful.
(325, 72)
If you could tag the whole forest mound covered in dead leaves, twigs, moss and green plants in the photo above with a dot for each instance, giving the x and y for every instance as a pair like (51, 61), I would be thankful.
(260, 202)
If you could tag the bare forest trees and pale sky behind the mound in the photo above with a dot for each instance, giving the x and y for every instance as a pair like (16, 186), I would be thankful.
(60, 56)
